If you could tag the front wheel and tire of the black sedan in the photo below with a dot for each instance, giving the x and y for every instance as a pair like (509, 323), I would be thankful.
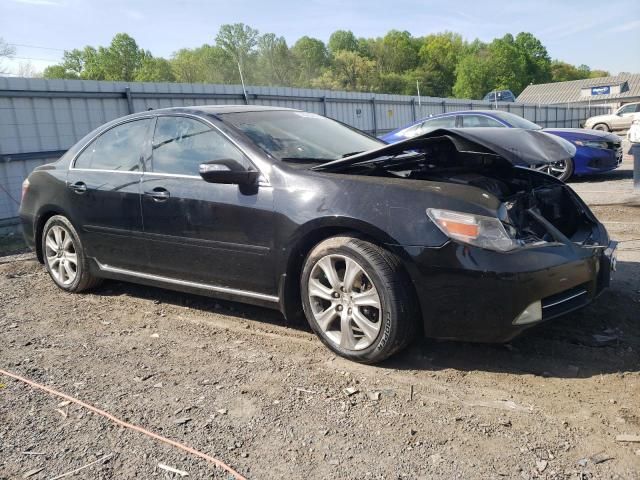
(357, 299)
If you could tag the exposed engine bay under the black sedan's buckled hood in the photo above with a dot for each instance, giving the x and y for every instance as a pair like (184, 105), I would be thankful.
(535, 207)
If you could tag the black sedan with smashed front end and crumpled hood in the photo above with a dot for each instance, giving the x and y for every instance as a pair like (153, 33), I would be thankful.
(444, 234)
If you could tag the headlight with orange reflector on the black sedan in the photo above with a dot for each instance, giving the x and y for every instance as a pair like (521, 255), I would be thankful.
(483, 232)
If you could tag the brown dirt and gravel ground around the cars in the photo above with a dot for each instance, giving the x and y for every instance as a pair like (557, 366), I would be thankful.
(237, 383)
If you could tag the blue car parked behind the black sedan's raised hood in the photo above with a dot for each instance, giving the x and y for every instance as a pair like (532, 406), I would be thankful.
(596, 151)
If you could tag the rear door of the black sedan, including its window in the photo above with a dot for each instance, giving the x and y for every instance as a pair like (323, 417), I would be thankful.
(103, 189)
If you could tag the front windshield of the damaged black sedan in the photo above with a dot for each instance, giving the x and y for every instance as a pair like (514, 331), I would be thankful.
(299, 136)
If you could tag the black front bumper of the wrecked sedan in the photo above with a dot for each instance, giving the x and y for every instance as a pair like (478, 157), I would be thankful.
(471, 294)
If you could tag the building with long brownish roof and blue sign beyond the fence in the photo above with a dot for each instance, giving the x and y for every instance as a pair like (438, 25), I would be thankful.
(611, 91)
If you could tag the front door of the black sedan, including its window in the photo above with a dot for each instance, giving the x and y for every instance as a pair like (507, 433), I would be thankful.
(214, 234)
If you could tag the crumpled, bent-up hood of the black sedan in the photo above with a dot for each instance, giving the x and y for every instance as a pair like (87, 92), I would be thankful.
(517, 146)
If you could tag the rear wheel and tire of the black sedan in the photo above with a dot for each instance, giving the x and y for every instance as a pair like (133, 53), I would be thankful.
(64, 257)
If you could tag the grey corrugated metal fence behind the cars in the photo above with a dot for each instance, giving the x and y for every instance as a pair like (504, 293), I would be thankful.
(40, 119)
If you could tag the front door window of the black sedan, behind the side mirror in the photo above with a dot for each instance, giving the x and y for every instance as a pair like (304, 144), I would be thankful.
(181, 144)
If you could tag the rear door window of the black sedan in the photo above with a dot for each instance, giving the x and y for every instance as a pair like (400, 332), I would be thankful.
(119, 148)
